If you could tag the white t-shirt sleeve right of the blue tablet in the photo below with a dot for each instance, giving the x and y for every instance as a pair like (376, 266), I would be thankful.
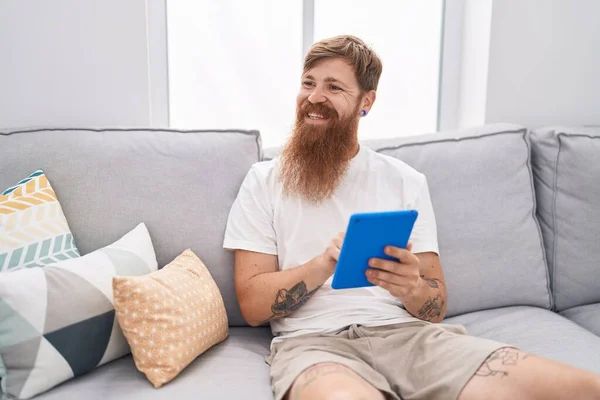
(424, 233)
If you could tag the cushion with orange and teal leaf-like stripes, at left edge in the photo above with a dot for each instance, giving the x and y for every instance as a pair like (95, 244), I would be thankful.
(33, 229)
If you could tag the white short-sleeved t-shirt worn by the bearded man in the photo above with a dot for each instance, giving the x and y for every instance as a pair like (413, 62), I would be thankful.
(263, 220)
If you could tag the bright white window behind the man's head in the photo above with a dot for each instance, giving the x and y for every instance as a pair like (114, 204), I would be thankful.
(237, 63)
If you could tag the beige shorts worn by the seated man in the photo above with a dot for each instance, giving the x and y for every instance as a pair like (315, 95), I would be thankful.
(415, 360)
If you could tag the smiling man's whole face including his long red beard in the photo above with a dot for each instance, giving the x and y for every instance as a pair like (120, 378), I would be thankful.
(324, 138)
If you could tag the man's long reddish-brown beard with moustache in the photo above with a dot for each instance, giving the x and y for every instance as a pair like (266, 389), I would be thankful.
(315, 158)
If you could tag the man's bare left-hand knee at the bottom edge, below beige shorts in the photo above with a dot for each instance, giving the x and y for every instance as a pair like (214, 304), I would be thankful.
(332, 381)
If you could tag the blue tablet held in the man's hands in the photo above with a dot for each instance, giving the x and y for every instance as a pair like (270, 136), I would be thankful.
(366, 237)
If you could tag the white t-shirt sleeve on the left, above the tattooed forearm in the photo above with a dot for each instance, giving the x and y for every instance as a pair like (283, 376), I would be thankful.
(250, 221)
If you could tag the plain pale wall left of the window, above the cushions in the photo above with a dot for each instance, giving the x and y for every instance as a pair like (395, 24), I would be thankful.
(81, 63)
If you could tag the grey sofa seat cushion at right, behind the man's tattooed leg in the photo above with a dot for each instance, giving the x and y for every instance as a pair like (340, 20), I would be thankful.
(536, 331)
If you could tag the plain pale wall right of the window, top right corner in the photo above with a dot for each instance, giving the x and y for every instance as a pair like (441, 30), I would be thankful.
(544, 62)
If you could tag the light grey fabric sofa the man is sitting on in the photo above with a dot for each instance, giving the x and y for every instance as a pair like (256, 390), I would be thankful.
(517, 211)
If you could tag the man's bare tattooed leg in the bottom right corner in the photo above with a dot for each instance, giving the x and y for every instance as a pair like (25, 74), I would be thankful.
(514, 374)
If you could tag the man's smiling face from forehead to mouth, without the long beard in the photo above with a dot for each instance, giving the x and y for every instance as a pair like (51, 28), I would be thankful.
(329, 91)
